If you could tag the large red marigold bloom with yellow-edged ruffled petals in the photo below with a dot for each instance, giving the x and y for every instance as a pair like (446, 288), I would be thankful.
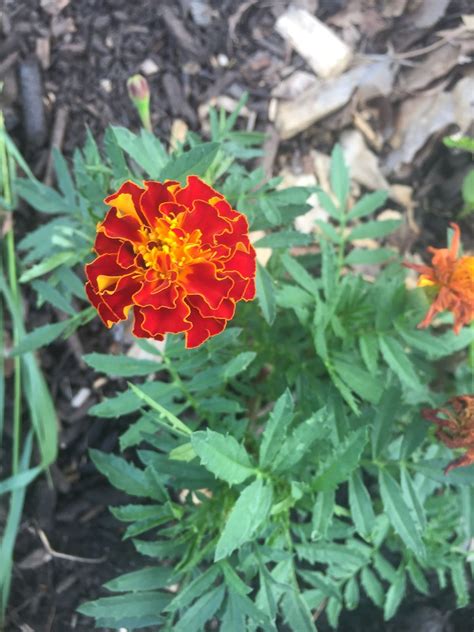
(179, 257)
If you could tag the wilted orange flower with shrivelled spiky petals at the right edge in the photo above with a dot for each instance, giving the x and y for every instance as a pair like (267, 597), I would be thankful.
(452, 278)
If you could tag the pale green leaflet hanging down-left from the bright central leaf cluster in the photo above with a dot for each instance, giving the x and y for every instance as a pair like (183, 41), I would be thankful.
(247, 515)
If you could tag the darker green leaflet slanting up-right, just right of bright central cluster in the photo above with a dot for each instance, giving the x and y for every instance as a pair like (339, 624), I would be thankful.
(342, 462)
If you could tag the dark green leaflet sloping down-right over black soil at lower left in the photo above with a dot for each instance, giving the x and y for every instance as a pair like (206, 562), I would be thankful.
(121, 474)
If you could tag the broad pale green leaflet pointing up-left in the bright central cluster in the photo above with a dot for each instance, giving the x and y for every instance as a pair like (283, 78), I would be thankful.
(223, 456)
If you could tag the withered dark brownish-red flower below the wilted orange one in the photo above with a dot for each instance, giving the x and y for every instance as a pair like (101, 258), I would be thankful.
(455, 427)
